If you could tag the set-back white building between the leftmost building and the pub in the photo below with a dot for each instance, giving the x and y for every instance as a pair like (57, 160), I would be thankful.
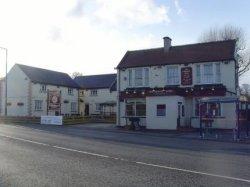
(98, 95)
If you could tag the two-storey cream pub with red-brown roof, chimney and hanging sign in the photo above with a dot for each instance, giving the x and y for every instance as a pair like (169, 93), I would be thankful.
(161, 87)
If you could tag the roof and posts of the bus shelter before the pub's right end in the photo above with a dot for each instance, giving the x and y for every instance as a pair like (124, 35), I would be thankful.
(238, 107)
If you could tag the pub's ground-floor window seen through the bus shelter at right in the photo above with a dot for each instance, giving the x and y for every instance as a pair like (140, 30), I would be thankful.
(211, 109)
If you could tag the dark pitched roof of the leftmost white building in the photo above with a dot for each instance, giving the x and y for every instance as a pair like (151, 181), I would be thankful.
(44, 76)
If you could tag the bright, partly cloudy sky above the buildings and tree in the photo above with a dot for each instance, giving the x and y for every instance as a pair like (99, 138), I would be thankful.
(91, 36)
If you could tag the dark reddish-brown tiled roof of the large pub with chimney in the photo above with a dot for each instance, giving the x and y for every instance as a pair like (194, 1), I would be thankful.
(185, 54)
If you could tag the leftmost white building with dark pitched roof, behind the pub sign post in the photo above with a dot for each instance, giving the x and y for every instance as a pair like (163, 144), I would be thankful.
(34, 92)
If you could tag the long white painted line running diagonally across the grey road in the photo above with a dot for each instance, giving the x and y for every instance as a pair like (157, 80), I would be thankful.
(125, 160)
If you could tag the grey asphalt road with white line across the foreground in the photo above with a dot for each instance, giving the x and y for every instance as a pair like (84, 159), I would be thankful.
(35, 155)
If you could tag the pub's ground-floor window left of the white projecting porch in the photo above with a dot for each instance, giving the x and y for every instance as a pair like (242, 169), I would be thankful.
(135, 108)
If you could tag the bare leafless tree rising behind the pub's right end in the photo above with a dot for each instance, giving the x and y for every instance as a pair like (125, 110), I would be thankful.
(229, 32)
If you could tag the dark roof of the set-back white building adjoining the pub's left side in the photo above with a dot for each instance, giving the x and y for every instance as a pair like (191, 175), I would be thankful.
(97, 81)
